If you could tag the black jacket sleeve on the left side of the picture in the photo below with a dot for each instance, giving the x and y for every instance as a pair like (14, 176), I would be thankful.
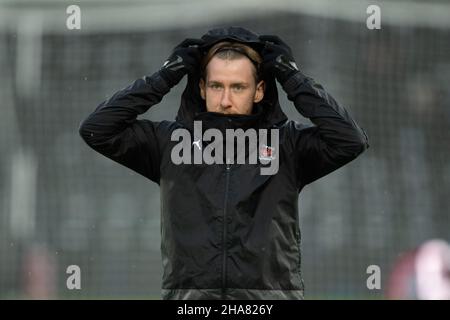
(114, 131)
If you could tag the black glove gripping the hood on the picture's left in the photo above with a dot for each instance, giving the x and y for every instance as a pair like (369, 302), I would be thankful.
(185, 58)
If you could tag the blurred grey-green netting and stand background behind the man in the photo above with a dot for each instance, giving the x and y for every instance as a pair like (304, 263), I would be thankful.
(63, 204)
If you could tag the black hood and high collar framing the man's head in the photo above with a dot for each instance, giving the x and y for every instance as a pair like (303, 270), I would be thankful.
(267, 112)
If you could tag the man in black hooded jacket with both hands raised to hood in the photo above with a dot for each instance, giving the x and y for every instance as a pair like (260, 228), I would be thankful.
(228, 231)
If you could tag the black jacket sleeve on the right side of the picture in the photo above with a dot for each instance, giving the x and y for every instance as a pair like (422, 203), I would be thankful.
(334, 140)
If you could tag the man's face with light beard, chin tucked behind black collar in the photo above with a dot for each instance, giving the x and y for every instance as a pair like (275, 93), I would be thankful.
(230, 86)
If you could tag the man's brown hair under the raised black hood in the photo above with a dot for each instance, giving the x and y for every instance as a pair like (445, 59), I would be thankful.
(230, 51)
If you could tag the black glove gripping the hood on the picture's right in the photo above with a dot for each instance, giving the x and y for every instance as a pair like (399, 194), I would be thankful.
(277, 58)
